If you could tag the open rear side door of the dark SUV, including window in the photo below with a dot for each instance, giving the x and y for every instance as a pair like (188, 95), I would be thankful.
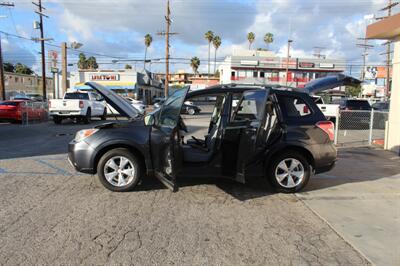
(241, 134)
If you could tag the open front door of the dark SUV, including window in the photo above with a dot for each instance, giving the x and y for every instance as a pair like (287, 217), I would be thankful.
(165, 140)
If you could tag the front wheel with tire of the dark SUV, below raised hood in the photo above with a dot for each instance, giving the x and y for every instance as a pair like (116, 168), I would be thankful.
(119, 170)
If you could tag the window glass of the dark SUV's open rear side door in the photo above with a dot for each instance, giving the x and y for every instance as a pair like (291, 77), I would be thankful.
(251, 106)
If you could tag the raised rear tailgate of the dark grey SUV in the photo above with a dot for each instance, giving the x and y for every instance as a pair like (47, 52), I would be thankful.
(330, 82)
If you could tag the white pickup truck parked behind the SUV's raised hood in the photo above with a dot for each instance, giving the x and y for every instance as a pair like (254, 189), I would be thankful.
(80, 105)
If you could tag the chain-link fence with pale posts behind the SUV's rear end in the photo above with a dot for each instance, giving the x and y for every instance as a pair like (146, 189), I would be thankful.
(360, 128)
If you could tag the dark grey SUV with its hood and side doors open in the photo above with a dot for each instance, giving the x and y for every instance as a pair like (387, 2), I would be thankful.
(265, 136)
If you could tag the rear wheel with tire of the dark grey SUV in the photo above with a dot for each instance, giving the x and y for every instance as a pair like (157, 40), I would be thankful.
(289, 172)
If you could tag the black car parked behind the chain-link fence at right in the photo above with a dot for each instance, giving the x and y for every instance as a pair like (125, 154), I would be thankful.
(355, 113)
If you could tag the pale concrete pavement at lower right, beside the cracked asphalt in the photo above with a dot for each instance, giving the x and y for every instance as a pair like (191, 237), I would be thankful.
(360, 200)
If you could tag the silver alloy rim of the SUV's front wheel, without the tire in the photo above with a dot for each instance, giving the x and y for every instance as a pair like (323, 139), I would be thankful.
(119, 171)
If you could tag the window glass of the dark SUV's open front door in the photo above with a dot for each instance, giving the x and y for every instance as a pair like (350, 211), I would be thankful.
(171, 109)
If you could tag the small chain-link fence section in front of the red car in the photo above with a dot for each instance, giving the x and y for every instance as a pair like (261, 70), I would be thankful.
(34, 112)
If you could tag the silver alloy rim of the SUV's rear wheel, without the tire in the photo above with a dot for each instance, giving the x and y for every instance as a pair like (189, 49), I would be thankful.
(289, 173)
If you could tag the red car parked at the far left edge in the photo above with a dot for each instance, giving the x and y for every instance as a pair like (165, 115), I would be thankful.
(15, 110)
